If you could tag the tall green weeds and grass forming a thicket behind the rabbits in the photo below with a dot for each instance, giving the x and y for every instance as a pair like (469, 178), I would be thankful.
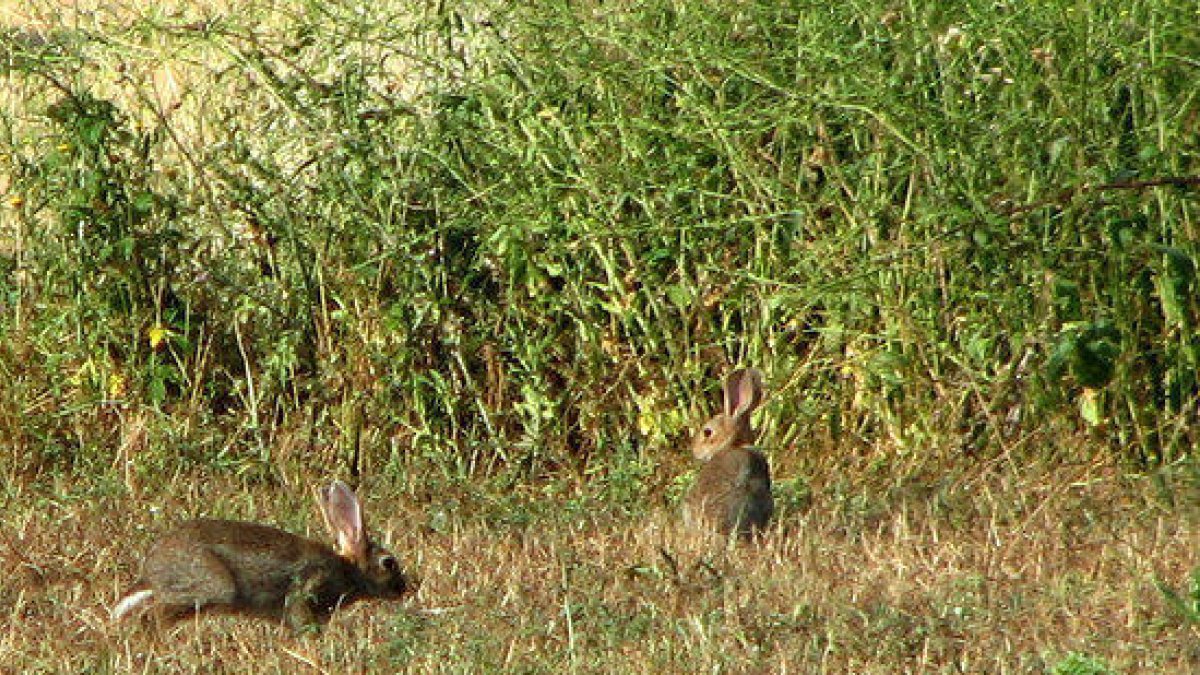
(535, 237)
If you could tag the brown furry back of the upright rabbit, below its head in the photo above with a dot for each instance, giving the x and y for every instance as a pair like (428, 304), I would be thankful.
(734, 492)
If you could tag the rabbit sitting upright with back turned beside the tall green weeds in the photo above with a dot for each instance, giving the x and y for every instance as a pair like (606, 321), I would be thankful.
(733, 492)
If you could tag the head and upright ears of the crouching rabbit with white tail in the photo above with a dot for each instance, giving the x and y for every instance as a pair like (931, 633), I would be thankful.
(380, 571)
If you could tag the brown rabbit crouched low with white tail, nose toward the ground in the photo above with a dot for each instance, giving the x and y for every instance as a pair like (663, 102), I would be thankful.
(261, 571)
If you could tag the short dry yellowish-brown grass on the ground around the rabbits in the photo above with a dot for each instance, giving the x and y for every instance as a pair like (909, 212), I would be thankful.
(1005, 570)
